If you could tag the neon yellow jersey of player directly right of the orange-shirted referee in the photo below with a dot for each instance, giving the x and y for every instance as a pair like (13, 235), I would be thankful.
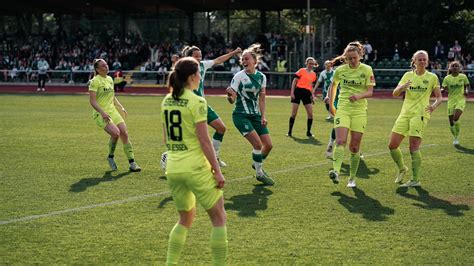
(352, 82)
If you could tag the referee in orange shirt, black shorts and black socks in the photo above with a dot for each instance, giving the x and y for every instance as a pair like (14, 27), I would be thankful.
(302, 91)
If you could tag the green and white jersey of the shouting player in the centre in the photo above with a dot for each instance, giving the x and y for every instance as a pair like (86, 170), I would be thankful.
(248, 87)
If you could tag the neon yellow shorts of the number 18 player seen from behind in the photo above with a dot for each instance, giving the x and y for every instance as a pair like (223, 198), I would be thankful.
(186, 187)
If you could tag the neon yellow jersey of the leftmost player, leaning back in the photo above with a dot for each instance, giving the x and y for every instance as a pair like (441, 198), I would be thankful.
(104, 89)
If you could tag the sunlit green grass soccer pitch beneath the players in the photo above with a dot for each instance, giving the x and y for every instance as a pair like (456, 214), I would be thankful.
(60, 204)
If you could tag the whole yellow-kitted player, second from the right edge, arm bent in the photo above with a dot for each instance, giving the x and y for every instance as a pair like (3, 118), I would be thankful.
(418, 85)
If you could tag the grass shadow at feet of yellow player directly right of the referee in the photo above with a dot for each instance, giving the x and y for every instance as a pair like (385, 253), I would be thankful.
(370, 208)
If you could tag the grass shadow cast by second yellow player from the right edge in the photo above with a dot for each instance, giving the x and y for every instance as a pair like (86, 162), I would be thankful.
(432, 203)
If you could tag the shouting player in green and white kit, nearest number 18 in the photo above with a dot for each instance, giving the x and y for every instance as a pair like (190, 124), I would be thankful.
(247, 90)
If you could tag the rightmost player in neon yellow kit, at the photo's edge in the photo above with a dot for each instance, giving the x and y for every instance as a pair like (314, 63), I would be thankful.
(457, 85)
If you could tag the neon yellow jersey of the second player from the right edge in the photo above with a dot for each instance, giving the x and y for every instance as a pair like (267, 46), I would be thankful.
(417, 97)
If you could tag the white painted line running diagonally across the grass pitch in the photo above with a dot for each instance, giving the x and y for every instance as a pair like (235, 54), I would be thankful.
(142, 197)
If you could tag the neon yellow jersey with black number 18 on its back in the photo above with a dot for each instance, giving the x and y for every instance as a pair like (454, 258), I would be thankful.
(179, 118)
